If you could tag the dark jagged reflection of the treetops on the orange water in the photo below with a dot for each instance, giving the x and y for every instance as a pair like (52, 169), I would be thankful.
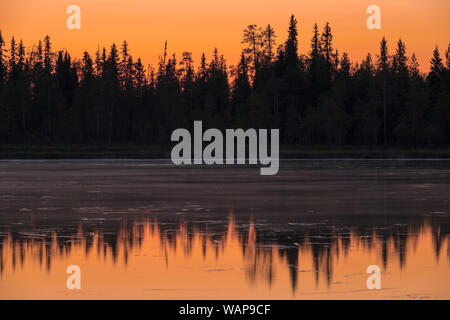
(259, 247)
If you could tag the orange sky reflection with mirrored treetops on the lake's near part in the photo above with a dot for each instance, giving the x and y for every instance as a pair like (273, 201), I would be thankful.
(143, 261)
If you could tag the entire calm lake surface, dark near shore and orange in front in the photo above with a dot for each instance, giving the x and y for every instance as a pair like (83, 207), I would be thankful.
(150, 230)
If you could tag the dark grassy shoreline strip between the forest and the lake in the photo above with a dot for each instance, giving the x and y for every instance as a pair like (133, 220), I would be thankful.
(163, 152)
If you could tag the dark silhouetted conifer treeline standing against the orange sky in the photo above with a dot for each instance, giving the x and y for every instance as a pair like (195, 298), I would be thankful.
(318, 97)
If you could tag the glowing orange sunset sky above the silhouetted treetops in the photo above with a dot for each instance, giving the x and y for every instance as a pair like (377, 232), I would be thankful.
(201, 25)
